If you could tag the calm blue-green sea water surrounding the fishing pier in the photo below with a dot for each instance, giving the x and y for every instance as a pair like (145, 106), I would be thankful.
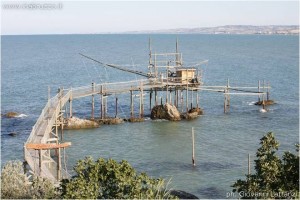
(162, 149)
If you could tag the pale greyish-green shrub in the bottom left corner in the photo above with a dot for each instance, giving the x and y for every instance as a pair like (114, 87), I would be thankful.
(16, 185)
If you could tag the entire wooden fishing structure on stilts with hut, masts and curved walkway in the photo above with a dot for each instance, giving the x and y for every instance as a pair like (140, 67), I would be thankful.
(44, 149)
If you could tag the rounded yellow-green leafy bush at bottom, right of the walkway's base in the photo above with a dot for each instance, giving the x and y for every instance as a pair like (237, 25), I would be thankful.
(111, 180)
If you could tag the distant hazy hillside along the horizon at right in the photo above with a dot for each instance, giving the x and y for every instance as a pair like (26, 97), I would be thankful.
(230, 29)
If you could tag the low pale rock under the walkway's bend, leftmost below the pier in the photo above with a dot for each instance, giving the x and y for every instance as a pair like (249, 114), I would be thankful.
(76, 123)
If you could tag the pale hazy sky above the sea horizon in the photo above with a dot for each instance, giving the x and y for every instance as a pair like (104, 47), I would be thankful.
(119, 16)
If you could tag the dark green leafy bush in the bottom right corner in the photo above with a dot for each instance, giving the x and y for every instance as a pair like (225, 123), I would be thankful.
(274, 177)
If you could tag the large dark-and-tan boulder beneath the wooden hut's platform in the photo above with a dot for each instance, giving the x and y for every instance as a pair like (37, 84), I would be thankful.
(167, 111)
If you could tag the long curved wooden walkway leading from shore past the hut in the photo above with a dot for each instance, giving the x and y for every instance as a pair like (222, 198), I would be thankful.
(47, 163)
